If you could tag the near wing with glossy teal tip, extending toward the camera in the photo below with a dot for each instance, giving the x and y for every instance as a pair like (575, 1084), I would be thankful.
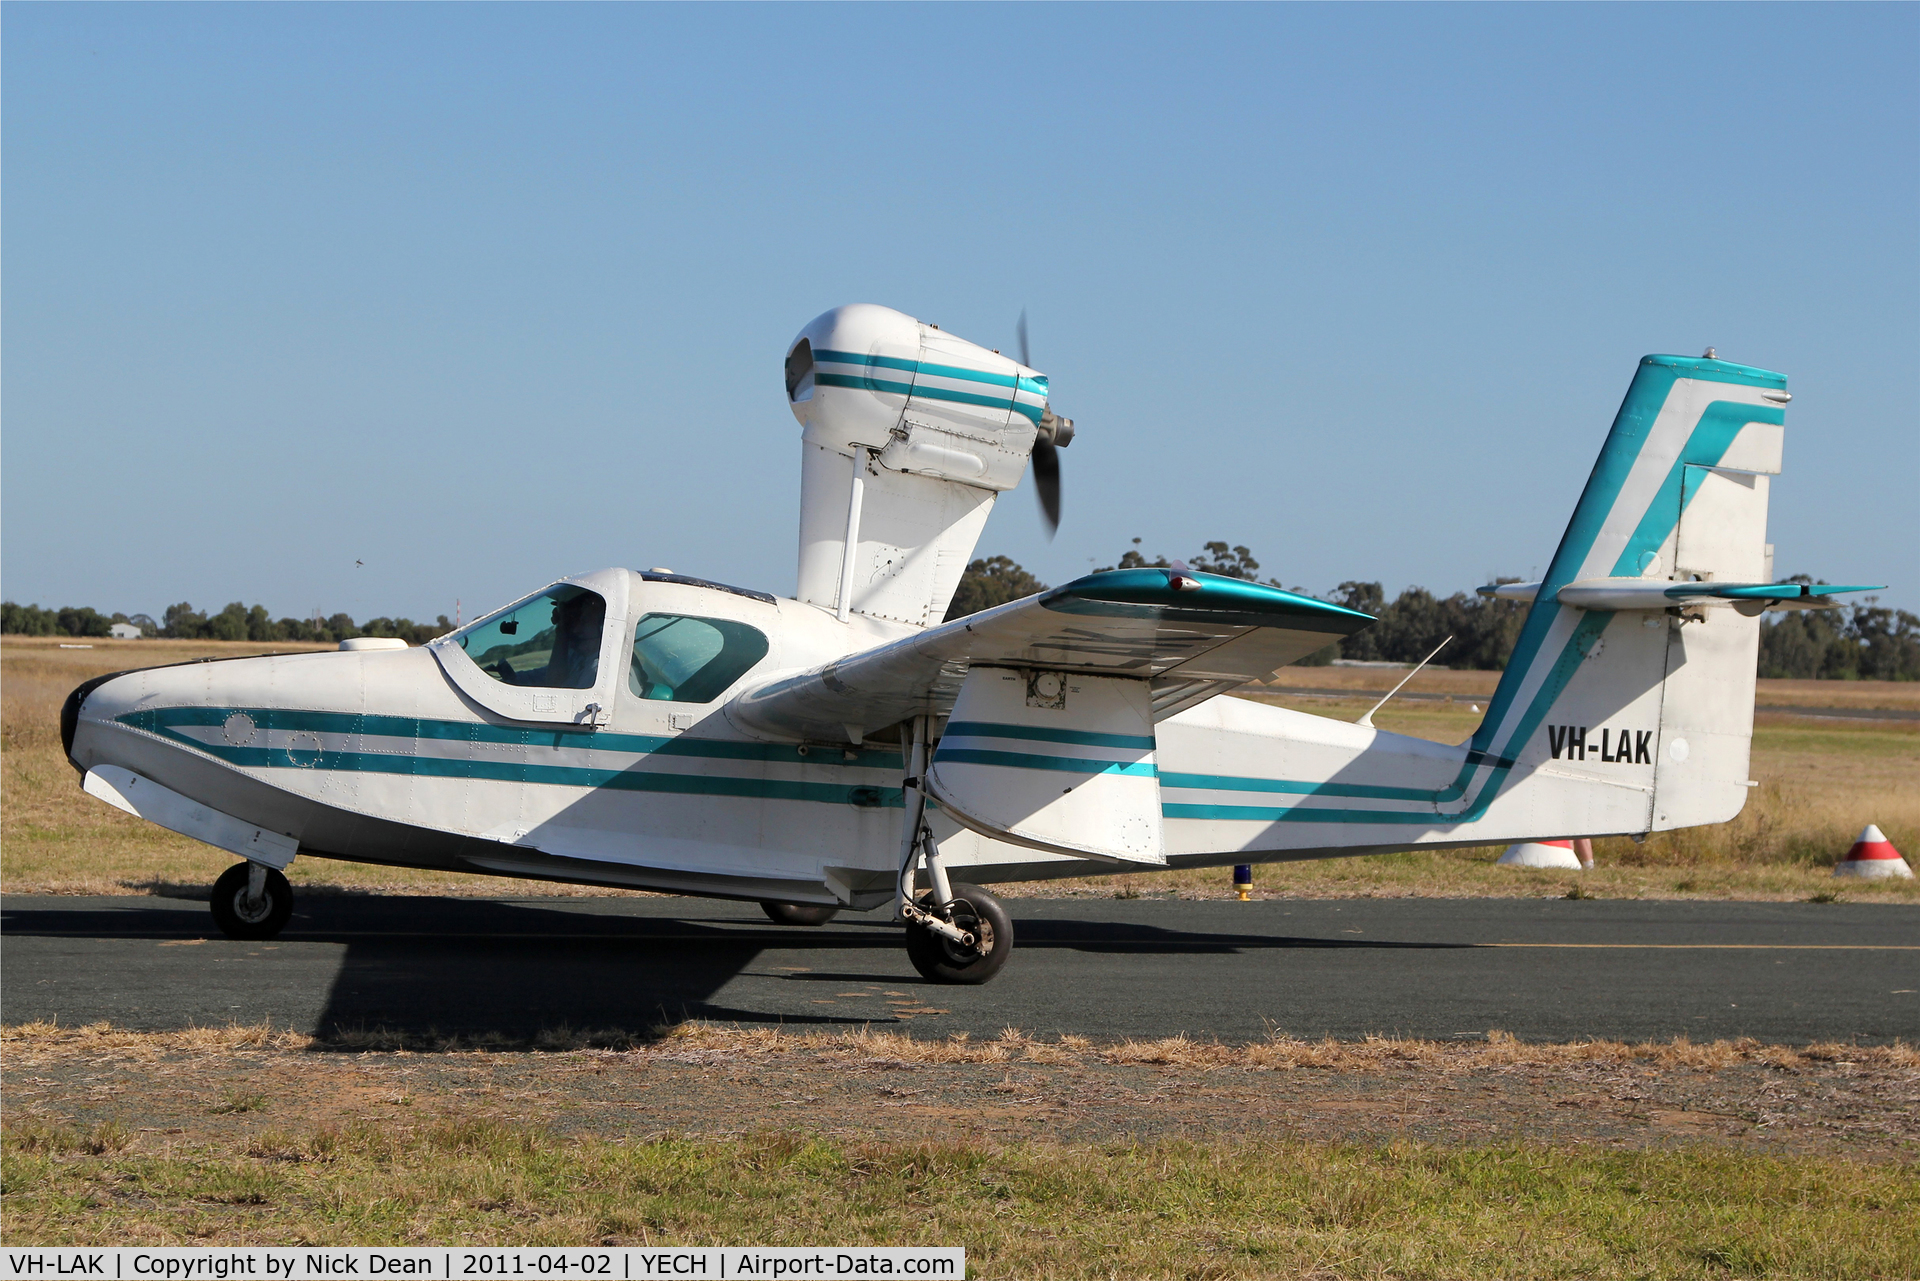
(1188, 635)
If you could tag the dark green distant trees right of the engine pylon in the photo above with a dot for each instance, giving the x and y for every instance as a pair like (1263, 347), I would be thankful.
(1856, 642)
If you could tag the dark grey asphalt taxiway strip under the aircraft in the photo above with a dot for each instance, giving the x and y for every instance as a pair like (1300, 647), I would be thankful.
(1539, 969)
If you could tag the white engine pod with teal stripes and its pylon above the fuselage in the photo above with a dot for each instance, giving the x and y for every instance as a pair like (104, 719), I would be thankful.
(934, 425)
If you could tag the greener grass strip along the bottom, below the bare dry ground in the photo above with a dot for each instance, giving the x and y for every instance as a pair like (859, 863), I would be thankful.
(1172, 1209)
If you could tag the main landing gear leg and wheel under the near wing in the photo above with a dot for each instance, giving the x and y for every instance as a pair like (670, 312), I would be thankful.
(955, 934)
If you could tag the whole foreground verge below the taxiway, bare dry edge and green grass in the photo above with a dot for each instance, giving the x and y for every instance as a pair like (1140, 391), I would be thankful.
(1042, 1157)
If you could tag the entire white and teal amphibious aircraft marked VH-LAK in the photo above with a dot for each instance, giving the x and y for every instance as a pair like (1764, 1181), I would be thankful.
(846, 748)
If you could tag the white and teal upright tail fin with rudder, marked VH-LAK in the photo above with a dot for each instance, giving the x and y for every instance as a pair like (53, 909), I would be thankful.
(1654, 700)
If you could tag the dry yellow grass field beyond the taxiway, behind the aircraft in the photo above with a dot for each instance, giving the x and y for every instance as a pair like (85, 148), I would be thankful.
(1821, 783)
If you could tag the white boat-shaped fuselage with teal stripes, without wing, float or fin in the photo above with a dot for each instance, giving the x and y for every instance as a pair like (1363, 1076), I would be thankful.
(389, 758)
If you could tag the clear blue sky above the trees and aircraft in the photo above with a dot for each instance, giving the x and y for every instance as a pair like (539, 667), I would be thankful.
(491, 295)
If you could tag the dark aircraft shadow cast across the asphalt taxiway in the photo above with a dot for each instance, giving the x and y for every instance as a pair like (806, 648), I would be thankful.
(421, 969)
